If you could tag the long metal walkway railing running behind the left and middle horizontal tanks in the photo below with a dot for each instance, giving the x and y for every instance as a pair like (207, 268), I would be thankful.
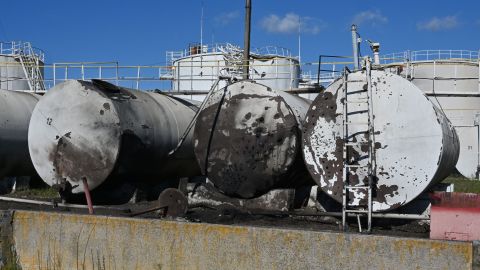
(163, 77)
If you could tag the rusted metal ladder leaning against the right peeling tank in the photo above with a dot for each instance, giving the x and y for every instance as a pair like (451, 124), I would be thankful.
(347, 207)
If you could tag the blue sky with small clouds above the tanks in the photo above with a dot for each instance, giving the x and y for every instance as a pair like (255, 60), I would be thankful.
(139, 32)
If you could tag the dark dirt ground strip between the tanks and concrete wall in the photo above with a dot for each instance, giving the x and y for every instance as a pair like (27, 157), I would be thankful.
(233, 216)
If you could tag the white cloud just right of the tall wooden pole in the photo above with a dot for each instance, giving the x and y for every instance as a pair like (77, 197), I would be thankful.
(291, 23)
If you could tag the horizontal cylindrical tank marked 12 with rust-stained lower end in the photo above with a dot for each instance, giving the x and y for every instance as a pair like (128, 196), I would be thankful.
(98, 132)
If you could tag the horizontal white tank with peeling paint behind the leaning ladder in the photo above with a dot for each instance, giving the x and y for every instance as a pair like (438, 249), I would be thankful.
(415, 144)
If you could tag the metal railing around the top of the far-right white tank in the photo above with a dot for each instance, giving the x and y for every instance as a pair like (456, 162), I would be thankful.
(430, 55)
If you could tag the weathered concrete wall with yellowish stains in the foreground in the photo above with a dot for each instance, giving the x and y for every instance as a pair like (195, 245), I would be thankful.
(64, 241)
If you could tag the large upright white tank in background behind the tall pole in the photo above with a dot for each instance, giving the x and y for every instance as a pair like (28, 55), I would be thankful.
(197, 69)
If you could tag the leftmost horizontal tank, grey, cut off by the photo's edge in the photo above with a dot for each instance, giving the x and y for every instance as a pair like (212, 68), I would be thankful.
(15, 112)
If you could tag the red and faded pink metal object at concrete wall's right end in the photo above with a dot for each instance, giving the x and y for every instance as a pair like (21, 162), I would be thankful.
(455, 216)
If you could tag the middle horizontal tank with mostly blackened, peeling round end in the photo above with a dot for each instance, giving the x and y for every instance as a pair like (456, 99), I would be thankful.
(247, 139)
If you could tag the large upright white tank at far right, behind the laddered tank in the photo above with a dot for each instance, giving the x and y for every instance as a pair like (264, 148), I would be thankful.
(451, 79)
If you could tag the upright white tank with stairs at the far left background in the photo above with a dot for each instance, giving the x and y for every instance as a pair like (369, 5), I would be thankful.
(12, 73)
